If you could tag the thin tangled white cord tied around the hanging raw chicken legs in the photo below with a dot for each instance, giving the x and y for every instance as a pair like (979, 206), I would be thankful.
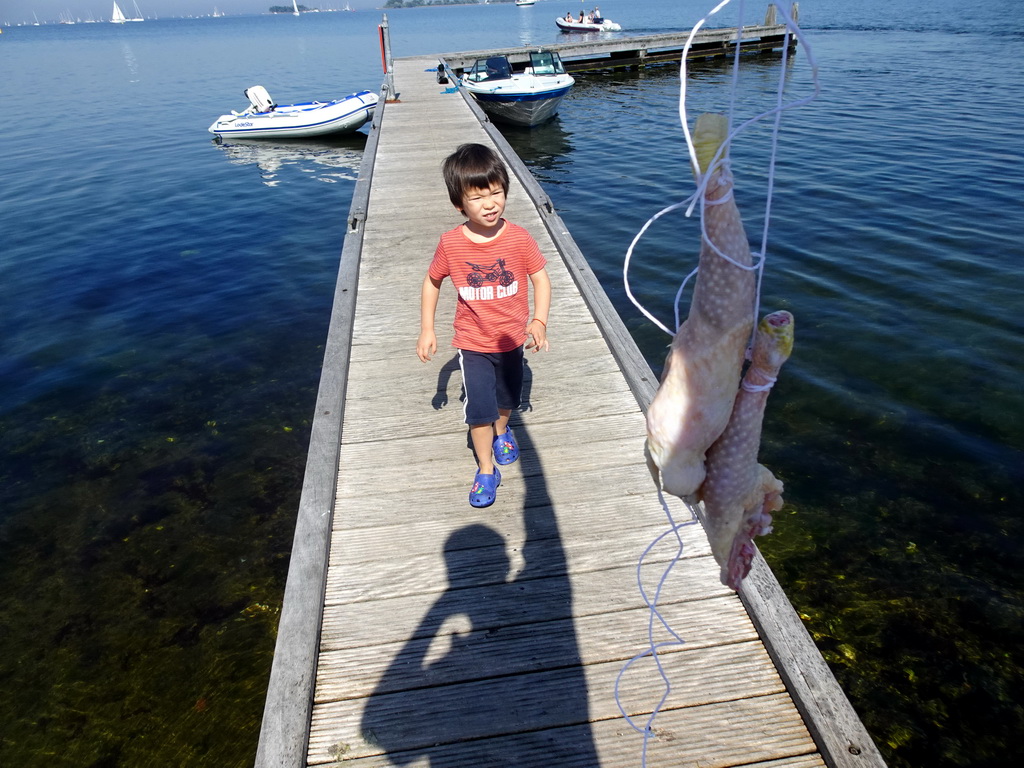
(656, 619)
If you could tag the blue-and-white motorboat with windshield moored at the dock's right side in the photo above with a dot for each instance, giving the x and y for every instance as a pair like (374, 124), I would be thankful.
(527, 98)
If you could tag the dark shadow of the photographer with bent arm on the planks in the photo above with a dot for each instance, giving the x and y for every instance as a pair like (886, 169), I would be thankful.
(464, 690)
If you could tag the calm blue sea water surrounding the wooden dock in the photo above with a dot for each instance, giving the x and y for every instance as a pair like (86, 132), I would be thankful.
(165, 302)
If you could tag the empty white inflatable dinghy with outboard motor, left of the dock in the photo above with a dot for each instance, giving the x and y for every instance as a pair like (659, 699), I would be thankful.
(265, 119)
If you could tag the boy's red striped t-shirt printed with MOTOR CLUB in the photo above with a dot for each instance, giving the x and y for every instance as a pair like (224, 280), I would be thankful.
(492, 280)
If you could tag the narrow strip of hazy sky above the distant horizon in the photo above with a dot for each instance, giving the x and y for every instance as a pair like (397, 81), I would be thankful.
(15, 12)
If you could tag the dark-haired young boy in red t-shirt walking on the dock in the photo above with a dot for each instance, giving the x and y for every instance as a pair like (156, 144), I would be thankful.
(488, 260)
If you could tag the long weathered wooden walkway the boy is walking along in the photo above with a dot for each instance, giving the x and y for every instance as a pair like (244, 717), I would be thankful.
(419, 631)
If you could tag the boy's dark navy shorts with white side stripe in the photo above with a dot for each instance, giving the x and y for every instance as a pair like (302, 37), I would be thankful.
(492, 380)
